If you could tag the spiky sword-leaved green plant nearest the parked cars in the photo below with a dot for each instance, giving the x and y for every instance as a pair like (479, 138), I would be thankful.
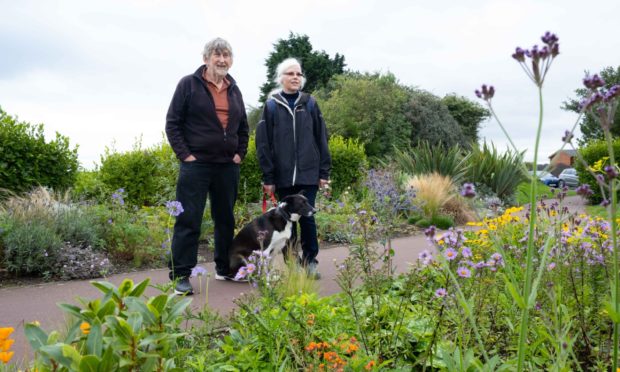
(501, 173)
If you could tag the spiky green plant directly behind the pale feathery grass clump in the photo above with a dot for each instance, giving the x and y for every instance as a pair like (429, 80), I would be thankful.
(426, 159)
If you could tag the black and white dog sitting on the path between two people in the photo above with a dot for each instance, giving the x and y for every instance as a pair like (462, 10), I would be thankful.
(274, 227)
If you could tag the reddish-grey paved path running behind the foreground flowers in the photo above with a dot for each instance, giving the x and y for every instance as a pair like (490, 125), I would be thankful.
(39, 302)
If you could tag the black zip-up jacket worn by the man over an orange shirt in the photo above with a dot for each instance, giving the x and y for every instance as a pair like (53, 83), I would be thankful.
(192, 125)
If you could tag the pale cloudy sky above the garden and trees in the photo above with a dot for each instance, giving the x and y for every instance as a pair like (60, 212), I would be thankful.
(103, 72)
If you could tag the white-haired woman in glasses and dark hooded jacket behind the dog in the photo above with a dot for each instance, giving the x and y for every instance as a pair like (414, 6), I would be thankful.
(291, 144)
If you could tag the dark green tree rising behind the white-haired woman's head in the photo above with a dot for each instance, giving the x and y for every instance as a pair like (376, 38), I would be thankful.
(317, 65)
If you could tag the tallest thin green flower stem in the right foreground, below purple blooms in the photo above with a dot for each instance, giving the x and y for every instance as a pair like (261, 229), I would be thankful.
(530, 244)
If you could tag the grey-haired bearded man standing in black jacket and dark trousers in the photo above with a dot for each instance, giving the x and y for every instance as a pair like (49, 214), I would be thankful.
(207, 128)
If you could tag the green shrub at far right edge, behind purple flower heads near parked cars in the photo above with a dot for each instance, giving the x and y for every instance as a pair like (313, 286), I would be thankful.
(594, 152)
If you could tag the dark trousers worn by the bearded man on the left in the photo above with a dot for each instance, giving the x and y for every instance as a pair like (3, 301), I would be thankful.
(197, 180)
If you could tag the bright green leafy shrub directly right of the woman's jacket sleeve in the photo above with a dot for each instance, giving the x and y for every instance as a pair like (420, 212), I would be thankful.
(349, 163)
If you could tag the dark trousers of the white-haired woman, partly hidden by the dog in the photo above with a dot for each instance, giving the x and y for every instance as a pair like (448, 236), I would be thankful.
(309, 241)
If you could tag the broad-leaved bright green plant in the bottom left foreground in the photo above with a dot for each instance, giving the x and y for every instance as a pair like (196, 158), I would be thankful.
(120, 331)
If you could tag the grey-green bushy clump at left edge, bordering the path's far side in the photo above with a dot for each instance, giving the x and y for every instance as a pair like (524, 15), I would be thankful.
(44, 232)
